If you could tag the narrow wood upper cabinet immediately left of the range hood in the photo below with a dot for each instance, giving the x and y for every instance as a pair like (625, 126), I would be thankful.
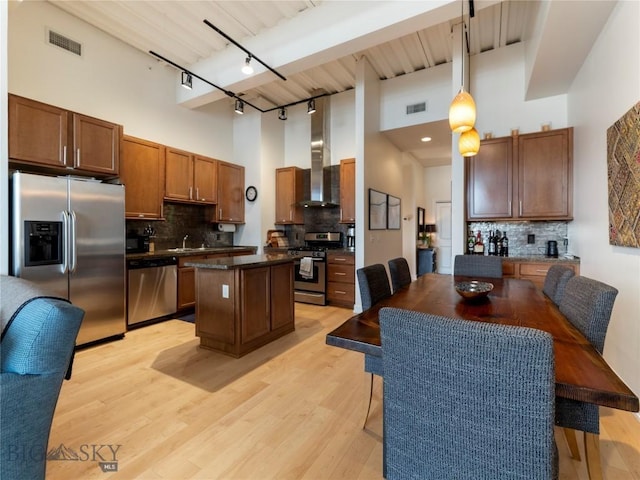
(289, 191)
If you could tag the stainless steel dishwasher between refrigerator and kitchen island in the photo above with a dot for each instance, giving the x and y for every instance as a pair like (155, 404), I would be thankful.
(153, 289)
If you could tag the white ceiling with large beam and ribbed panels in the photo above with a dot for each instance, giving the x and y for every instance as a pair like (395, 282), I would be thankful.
(315, 44)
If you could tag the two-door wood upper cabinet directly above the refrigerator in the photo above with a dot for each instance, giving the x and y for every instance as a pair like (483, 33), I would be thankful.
(50, 136)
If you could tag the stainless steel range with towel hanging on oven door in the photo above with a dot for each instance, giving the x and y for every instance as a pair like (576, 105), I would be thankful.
(310, 284)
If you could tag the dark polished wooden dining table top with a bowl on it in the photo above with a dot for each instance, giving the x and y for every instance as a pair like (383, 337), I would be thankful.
(581, 372)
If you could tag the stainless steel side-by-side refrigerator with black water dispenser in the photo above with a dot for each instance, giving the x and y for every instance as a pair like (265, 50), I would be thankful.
(68, 235)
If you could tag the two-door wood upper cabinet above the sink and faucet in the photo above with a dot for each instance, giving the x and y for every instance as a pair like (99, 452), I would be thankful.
(190, 178)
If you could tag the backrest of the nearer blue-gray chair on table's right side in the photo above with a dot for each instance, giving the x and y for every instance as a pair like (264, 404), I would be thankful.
(588, 303)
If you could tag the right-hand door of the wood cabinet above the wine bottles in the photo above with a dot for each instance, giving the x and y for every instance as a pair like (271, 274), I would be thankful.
(545, 165)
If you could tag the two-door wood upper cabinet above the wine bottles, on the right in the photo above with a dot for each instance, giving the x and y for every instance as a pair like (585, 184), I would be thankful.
(528, 177)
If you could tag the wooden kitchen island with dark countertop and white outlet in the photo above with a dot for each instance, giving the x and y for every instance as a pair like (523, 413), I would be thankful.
(243, 302)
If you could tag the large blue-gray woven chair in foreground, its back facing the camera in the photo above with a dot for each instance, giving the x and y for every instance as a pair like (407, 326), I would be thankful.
(455, 404)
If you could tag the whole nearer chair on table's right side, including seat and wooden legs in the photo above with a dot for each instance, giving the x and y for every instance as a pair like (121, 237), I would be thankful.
(587, 304)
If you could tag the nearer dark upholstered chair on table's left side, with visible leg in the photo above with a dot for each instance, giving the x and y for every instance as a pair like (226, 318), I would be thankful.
(374, 286)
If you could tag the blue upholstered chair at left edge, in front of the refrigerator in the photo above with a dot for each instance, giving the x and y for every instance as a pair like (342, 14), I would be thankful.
(36, 347)
